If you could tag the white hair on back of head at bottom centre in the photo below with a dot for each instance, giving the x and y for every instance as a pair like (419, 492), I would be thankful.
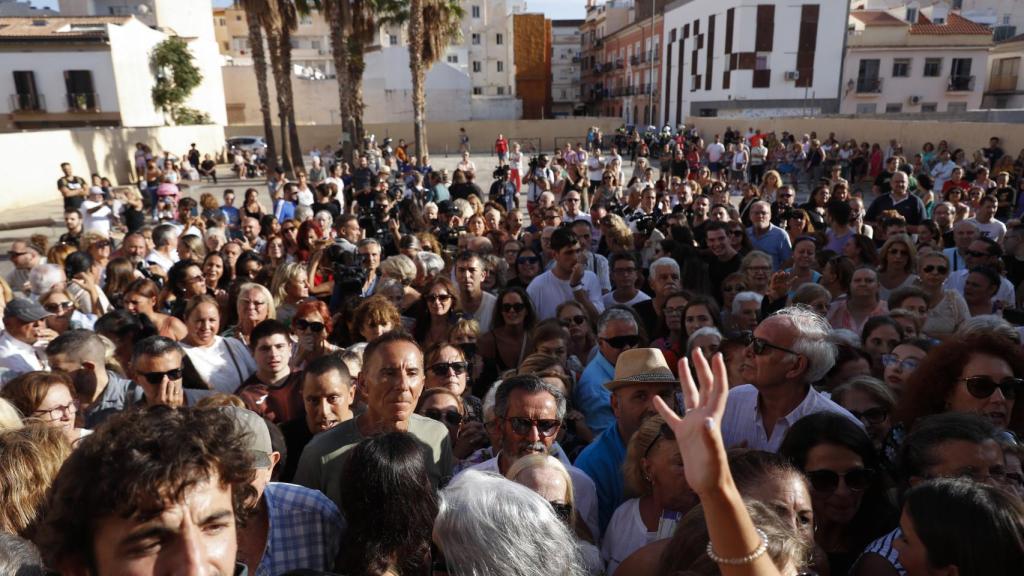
(490, 526)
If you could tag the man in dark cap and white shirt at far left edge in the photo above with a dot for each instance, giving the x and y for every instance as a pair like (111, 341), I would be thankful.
(22, 320)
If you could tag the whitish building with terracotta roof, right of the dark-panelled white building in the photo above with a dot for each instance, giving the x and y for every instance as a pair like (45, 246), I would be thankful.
(893, 66)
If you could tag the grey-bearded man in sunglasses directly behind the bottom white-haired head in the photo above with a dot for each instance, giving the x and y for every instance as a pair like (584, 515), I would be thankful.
(529, 414)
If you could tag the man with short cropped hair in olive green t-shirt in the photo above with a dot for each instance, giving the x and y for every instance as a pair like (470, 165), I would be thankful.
(393, 380)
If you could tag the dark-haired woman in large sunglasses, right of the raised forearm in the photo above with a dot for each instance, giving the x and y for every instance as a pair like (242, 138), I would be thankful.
(848, 488)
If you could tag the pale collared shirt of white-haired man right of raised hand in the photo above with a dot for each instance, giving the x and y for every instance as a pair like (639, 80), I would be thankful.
(742, 424)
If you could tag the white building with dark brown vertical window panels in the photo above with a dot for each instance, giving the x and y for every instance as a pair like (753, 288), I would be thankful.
(736, 59)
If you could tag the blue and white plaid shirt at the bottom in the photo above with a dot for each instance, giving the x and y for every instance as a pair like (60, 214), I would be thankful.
(306, 530)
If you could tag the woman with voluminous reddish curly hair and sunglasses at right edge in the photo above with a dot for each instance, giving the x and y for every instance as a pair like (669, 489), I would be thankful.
(979, 374)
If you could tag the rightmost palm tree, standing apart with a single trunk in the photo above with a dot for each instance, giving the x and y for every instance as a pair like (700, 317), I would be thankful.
(433, 26)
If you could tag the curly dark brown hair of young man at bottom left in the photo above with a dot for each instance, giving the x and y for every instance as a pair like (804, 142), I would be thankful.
(135, 465)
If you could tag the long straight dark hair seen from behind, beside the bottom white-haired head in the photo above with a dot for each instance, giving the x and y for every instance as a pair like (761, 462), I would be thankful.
(390, 505)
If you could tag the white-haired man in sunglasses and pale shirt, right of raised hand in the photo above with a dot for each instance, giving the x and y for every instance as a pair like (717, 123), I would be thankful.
(790, 351)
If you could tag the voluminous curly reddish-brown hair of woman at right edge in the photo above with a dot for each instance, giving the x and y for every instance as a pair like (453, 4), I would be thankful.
(932, 384)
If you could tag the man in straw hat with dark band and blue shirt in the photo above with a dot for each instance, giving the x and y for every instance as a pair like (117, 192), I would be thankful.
(641, 376)
